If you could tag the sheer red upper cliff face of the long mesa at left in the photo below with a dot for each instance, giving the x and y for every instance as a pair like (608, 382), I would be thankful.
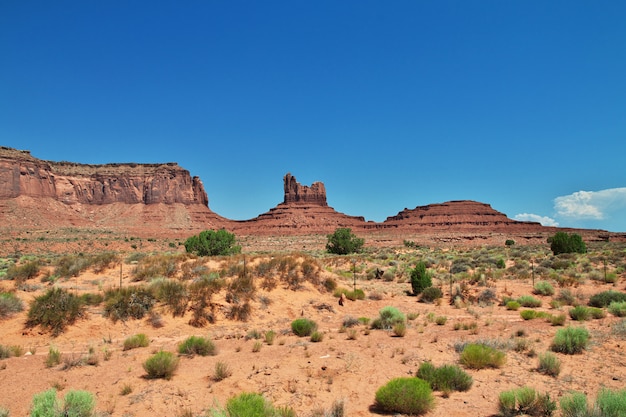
(71, 183)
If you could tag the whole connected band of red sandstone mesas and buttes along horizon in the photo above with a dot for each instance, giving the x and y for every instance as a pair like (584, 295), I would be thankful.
(163, 200)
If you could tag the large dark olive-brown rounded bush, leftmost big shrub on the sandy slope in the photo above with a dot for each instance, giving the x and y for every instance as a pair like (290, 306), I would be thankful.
(55, 310)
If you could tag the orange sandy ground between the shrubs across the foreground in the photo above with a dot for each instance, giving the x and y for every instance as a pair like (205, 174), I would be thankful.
(294, 371)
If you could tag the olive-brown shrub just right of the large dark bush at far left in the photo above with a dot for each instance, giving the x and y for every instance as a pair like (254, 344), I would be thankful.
(128, 302)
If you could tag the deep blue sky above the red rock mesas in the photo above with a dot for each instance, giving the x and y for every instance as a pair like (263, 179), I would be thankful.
(393, 105)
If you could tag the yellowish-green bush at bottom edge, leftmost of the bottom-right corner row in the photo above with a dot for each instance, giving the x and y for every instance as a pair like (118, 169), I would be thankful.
(525, 401)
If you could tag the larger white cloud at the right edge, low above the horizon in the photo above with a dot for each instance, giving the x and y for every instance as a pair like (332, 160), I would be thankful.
(594, 205)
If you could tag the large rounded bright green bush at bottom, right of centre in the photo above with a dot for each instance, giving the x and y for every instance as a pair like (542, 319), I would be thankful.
(406, 395)
